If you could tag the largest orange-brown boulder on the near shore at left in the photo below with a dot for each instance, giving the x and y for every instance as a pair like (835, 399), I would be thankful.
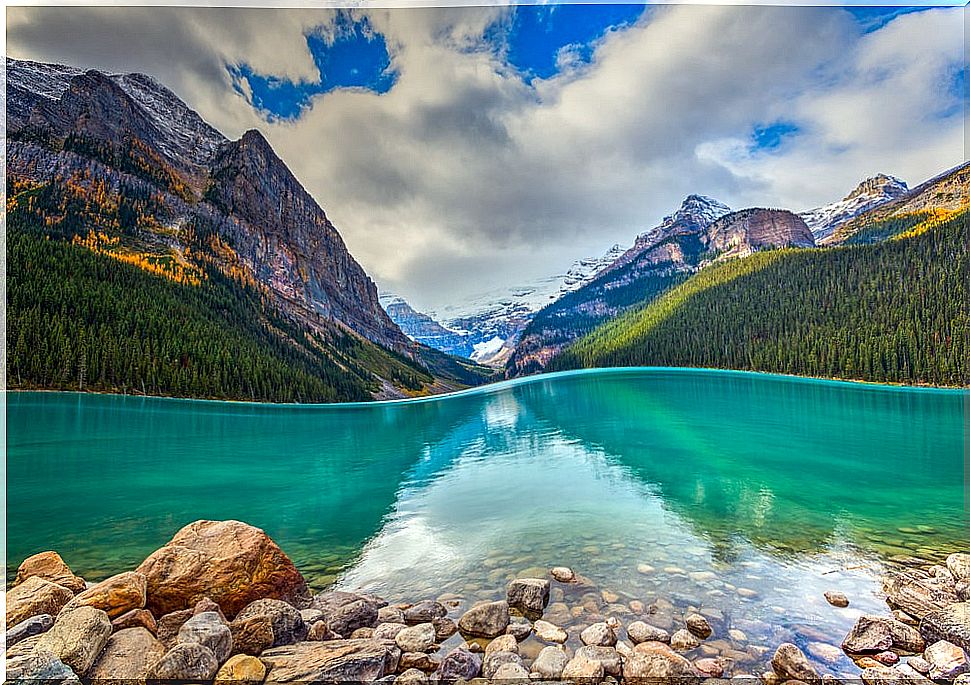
(230, 562)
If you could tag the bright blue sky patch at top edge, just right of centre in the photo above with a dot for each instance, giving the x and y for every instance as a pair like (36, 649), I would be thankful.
(534, 34)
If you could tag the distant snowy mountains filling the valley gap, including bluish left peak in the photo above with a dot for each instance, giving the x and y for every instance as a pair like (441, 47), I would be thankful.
(486, 327)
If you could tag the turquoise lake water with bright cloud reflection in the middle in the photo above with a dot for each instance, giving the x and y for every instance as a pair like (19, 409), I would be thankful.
(742, 495)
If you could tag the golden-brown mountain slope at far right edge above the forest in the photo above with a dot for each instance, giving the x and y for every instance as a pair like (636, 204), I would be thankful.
(932, 200)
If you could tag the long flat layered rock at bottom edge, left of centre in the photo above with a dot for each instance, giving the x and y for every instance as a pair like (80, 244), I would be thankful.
(333, 661)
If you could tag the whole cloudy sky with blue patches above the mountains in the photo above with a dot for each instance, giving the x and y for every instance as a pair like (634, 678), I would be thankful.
(460, 149)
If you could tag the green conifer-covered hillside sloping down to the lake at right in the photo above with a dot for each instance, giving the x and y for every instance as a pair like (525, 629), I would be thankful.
(894, 311)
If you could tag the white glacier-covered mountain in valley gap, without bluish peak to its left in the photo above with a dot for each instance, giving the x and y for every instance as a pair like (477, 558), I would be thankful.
(489, 324)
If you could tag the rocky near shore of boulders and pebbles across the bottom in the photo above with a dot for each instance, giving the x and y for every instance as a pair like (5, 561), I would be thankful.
(194, 610)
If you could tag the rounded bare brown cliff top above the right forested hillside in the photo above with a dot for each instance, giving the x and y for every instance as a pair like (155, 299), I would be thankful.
(743, 233)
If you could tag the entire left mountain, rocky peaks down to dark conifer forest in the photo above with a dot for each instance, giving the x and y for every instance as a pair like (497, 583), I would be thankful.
(115, 175)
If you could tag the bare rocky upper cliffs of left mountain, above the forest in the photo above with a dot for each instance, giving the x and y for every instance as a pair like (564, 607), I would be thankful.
(127, 130)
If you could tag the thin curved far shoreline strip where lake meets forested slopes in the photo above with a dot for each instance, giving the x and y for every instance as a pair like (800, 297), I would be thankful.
(498, 386)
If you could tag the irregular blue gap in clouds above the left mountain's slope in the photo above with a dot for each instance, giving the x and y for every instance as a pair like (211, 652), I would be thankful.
(352, 56)
